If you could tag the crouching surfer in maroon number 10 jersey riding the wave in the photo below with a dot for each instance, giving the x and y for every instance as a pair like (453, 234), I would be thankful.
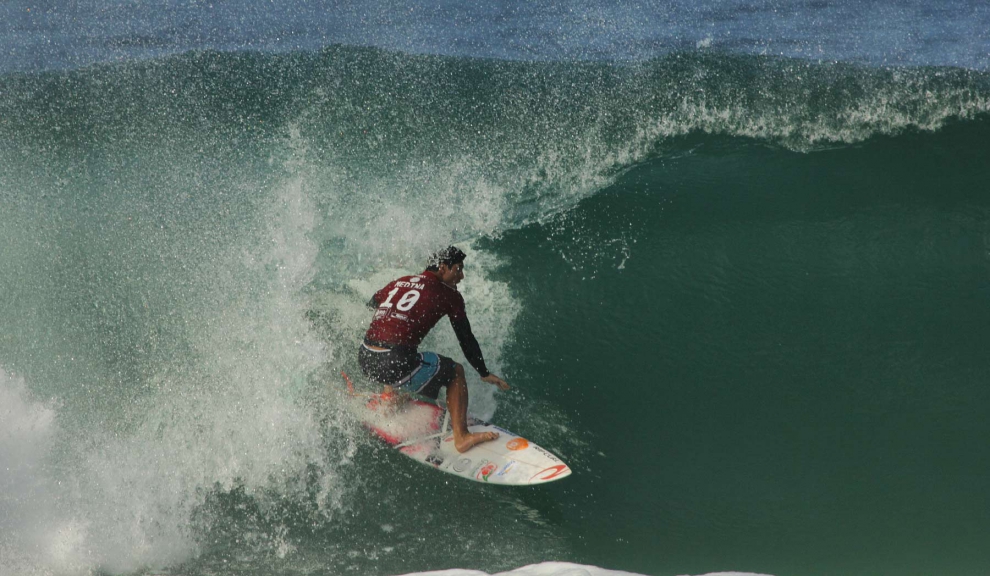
(406, 310)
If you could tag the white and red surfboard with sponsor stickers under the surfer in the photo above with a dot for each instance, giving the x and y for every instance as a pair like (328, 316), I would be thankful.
(421, 431)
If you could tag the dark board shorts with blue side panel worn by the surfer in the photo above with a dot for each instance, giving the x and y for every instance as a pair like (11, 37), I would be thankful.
(423, 373)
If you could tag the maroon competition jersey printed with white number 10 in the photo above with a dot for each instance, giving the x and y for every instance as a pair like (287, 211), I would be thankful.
(408, 308)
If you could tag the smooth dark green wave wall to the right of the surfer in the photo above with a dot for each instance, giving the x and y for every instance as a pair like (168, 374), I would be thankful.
(781, 356)
